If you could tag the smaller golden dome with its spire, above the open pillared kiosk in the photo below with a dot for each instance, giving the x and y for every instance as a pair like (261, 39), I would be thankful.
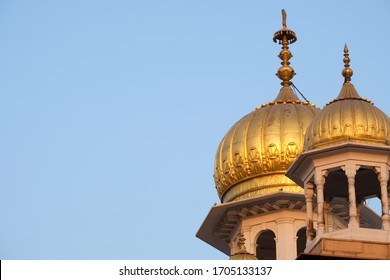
(348, 118)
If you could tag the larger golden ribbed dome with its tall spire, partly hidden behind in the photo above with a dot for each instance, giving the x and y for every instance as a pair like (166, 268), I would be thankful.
(254, 155)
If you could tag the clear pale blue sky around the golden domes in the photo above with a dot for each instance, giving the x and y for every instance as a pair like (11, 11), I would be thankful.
(111, 111)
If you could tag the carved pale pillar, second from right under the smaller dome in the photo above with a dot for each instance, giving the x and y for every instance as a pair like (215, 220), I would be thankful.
(350, 171)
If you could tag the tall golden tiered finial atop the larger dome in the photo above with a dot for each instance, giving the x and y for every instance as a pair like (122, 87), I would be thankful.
(285, 37)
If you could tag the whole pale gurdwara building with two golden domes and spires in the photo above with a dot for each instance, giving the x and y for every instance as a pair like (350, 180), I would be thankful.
(293, 179)
